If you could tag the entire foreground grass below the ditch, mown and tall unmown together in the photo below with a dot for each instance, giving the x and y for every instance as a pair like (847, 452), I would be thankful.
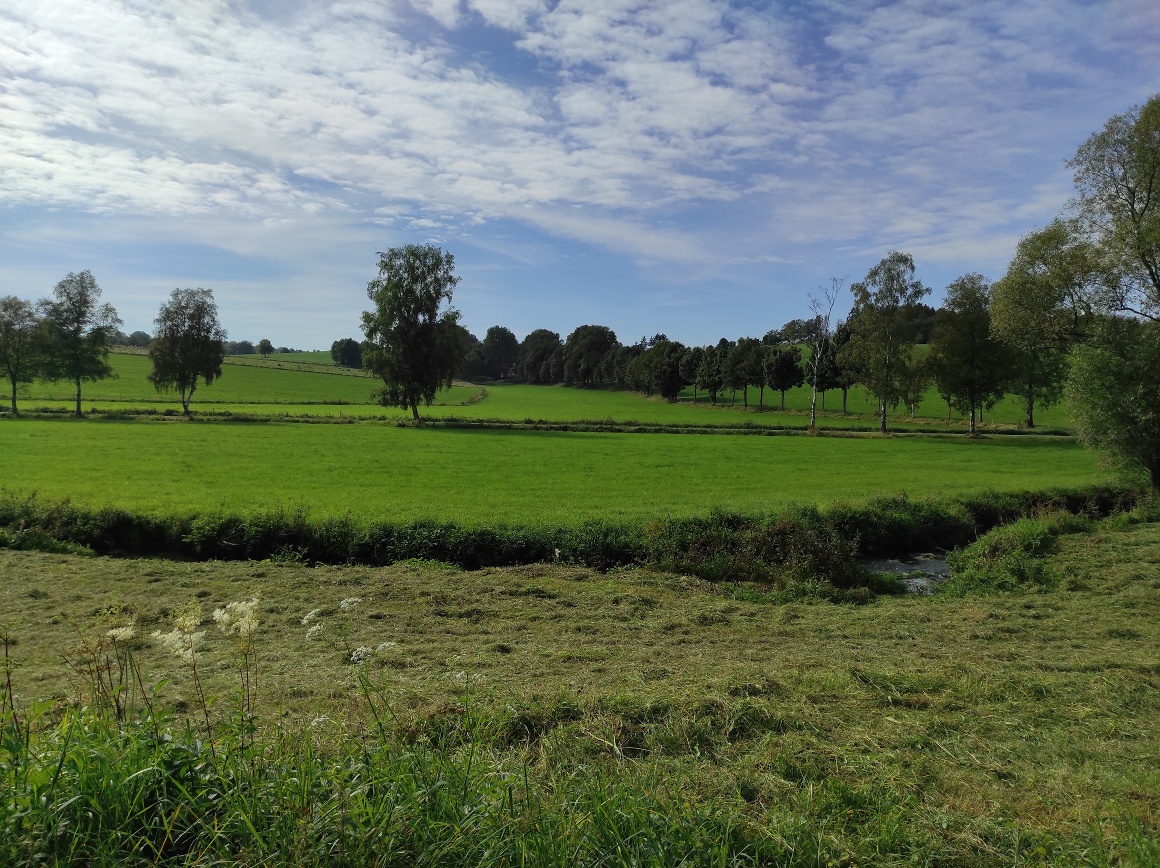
(562, 717)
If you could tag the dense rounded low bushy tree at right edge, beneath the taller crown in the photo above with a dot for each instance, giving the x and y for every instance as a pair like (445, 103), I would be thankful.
(1114, 394)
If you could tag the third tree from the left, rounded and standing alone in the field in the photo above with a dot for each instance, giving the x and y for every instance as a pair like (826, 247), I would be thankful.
(188, 345)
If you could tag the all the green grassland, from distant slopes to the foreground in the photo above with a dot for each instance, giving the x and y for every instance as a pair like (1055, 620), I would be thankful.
(637, 712)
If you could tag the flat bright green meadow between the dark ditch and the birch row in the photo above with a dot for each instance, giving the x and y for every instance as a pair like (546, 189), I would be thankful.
(502, 476)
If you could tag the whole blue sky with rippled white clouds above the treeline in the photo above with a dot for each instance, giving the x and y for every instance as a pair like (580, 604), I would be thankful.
(688, 168)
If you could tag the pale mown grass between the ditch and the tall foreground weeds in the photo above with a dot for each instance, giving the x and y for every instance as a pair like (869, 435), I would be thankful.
(954, 726)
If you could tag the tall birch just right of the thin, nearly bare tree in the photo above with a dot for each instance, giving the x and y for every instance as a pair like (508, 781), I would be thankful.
(883, 329)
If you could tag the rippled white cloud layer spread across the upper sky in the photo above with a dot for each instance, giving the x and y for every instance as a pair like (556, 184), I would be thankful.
(694, 133)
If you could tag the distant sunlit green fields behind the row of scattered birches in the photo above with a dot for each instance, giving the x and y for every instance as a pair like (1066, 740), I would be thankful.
(306, 386)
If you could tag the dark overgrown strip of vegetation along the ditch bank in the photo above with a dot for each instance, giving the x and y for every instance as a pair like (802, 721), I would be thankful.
(797, 544)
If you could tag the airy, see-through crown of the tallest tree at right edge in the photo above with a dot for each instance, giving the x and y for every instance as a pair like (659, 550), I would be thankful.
(1118, 178)
